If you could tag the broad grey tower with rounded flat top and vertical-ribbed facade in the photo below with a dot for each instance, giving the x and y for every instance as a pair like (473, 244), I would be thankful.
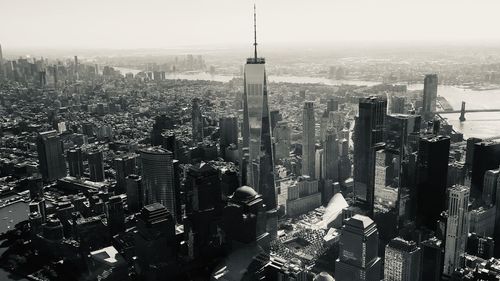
(158, 177)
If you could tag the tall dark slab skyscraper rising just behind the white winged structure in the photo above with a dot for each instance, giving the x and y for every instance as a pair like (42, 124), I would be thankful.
(369, 130)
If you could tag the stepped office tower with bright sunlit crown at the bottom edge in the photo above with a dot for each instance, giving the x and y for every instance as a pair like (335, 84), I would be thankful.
(358, 248)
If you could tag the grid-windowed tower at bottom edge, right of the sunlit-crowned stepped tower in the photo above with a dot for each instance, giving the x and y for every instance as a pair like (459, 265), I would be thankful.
(402, 261)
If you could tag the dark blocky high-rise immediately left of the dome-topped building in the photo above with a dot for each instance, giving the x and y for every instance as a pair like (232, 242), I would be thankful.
(203, 188)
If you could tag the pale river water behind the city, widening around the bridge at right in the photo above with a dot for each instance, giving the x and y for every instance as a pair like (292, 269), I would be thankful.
(478, 124)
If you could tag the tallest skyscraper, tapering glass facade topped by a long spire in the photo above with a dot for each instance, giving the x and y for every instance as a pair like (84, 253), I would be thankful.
(257, 128)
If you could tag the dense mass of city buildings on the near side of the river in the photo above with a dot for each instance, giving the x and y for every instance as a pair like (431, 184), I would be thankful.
(139, 178)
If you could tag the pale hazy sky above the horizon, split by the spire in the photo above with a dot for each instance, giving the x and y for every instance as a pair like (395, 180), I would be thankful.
(171, 23)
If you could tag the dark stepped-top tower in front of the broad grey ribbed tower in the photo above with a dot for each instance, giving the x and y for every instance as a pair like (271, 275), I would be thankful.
(155, 243)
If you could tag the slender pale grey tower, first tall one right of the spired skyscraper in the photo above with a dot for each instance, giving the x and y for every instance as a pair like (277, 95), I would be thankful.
(308, 140)
